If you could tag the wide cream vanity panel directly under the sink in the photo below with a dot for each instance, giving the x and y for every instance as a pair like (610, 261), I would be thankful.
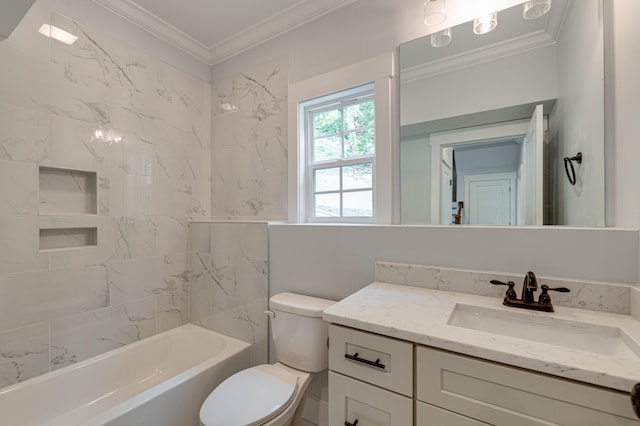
(503, 395)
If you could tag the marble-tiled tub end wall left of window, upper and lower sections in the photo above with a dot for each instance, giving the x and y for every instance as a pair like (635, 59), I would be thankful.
(229, 271)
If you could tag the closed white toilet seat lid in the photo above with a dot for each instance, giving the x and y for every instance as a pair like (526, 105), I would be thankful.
(250, 397)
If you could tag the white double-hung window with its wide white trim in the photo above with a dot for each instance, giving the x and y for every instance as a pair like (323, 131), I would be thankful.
(371, 79)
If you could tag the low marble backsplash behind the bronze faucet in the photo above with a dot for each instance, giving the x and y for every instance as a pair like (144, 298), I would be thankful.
(597, 296)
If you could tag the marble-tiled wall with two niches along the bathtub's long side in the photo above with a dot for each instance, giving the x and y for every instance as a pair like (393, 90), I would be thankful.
(62, 306)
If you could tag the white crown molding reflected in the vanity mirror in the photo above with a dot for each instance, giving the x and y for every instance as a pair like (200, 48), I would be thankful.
(476, 56)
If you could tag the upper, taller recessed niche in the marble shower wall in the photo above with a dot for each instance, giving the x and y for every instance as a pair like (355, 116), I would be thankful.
(67, 192)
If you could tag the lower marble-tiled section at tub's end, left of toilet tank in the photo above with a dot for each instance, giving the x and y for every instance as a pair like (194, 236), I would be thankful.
(229, 281)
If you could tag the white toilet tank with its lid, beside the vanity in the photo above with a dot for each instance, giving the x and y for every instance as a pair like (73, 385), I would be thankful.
(299, 332)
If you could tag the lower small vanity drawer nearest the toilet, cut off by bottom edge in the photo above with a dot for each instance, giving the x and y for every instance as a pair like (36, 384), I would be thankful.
(351, 400)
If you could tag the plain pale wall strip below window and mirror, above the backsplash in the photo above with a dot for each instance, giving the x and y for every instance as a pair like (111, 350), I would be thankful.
(334, 261)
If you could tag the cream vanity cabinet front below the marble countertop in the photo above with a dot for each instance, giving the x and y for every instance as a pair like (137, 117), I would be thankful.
(372, 379)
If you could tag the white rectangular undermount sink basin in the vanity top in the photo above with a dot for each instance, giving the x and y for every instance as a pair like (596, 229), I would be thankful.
(600, 339)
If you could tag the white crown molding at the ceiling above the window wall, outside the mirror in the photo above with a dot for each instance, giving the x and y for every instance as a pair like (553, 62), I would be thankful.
(300, 13)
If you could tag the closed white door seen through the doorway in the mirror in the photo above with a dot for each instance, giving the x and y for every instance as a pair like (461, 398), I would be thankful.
(491, 199)
